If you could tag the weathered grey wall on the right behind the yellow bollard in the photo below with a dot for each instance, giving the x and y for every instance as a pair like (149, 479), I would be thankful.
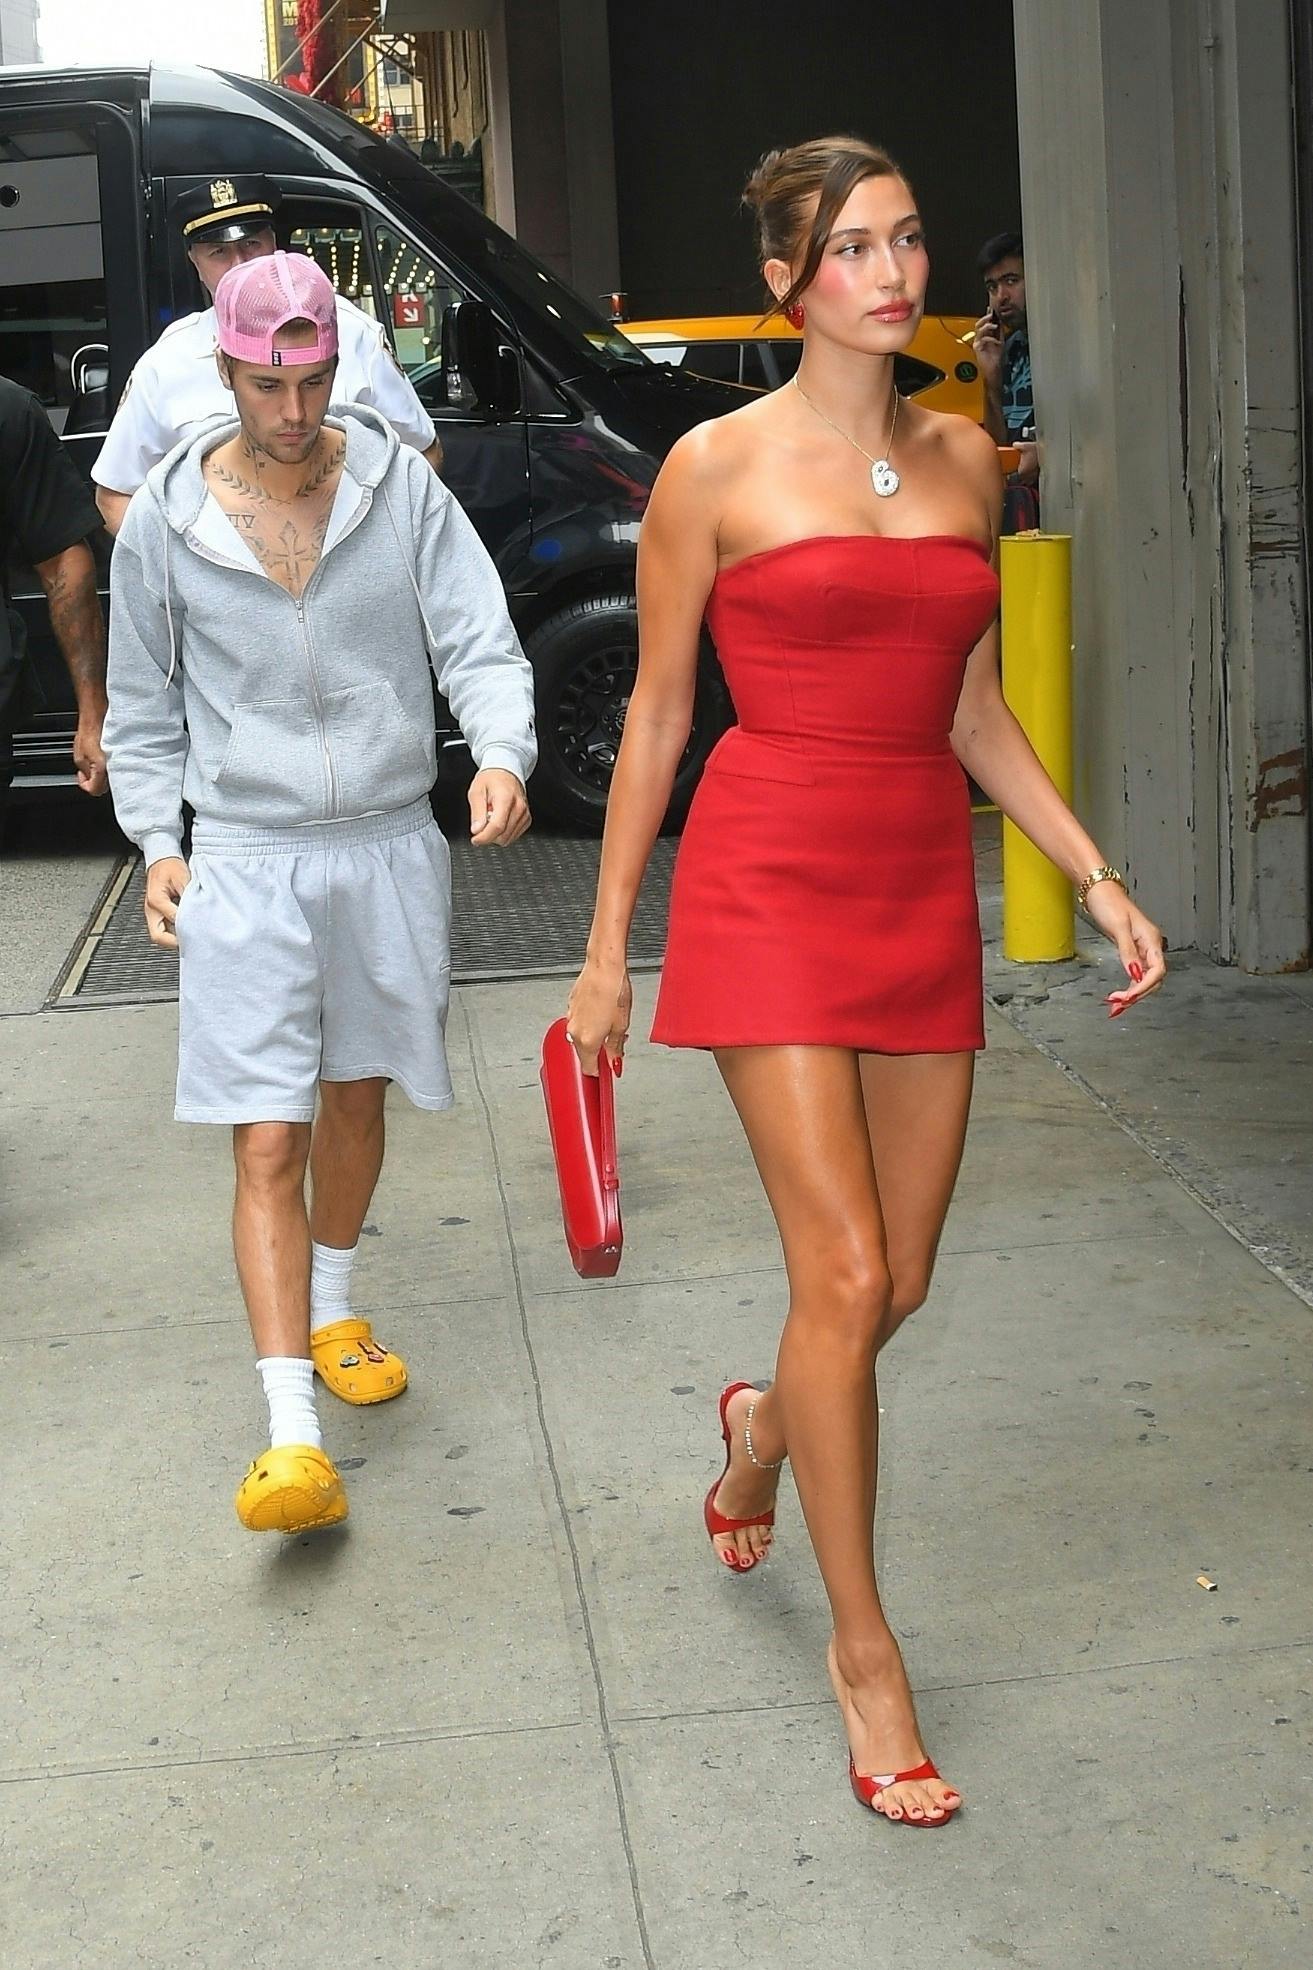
(1158, 164)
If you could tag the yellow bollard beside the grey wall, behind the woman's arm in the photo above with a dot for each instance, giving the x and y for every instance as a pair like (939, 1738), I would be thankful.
(1038, 673)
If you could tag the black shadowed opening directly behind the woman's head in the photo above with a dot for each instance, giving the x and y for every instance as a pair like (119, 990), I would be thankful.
(703, 92)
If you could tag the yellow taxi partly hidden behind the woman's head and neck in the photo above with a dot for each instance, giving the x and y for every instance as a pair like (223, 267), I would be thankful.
(939, 367)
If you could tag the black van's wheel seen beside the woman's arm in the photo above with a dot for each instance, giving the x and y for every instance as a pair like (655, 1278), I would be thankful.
(587, 661)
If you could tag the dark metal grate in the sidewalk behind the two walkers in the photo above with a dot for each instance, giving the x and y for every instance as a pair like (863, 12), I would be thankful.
(521, 913)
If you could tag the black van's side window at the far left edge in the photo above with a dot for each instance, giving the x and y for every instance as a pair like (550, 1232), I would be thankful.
(54, 324)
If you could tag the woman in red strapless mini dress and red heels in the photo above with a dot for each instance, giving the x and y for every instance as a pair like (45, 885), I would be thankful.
(825, 941)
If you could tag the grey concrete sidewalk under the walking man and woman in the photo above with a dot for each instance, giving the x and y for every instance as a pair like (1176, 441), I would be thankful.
(514, 1715)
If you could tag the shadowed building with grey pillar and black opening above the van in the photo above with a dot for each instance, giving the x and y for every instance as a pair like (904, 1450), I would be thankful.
(622, 133)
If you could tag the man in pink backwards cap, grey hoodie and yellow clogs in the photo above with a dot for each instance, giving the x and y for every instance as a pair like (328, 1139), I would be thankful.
(277, 596)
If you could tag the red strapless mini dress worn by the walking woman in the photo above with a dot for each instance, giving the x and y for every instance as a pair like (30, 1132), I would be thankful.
(825, 889)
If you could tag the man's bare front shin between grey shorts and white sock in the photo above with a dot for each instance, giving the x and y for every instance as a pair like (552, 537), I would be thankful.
(271, 1234)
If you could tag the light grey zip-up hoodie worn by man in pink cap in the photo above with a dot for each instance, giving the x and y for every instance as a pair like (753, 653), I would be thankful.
(265, 710)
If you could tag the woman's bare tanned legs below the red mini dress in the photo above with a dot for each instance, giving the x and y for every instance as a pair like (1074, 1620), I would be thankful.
(805, 1112)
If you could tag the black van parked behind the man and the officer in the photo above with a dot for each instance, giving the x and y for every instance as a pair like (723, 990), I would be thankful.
(553, 425)
